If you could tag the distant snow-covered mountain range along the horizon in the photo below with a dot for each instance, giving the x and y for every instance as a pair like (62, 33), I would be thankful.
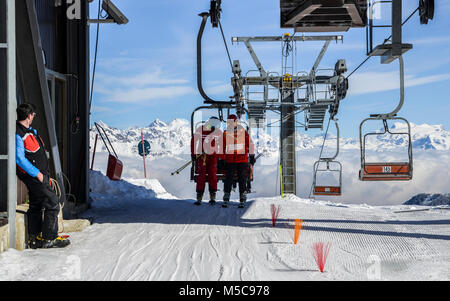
(171, 139)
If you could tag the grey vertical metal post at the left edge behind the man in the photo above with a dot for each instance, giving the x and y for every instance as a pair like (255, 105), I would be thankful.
(8, 13)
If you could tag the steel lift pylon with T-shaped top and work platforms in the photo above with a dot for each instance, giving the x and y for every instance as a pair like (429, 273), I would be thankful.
(289, 102)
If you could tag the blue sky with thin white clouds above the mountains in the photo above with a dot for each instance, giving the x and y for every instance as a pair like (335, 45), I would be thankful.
(147, 68)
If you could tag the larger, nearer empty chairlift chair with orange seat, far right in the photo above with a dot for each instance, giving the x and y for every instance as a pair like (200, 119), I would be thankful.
(387, 171)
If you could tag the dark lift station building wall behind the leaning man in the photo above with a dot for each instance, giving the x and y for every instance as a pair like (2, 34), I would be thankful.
(53, 74)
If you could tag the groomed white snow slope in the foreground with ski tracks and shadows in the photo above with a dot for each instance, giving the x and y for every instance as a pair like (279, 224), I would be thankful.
(137, 236)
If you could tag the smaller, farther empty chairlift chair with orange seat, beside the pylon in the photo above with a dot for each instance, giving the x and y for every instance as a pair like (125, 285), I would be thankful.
(328, 190)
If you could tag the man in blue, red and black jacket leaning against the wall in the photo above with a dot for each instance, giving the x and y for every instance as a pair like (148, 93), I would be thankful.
(33, 170)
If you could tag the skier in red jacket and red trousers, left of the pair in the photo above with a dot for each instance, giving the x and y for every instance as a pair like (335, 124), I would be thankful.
(205, 150)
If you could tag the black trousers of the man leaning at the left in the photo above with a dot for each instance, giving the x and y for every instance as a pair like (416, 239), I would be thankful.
(44, 208)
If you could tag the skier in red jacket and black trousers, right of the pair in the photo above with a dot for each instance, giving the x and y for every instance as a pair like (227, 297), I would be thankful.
(238, 148)
